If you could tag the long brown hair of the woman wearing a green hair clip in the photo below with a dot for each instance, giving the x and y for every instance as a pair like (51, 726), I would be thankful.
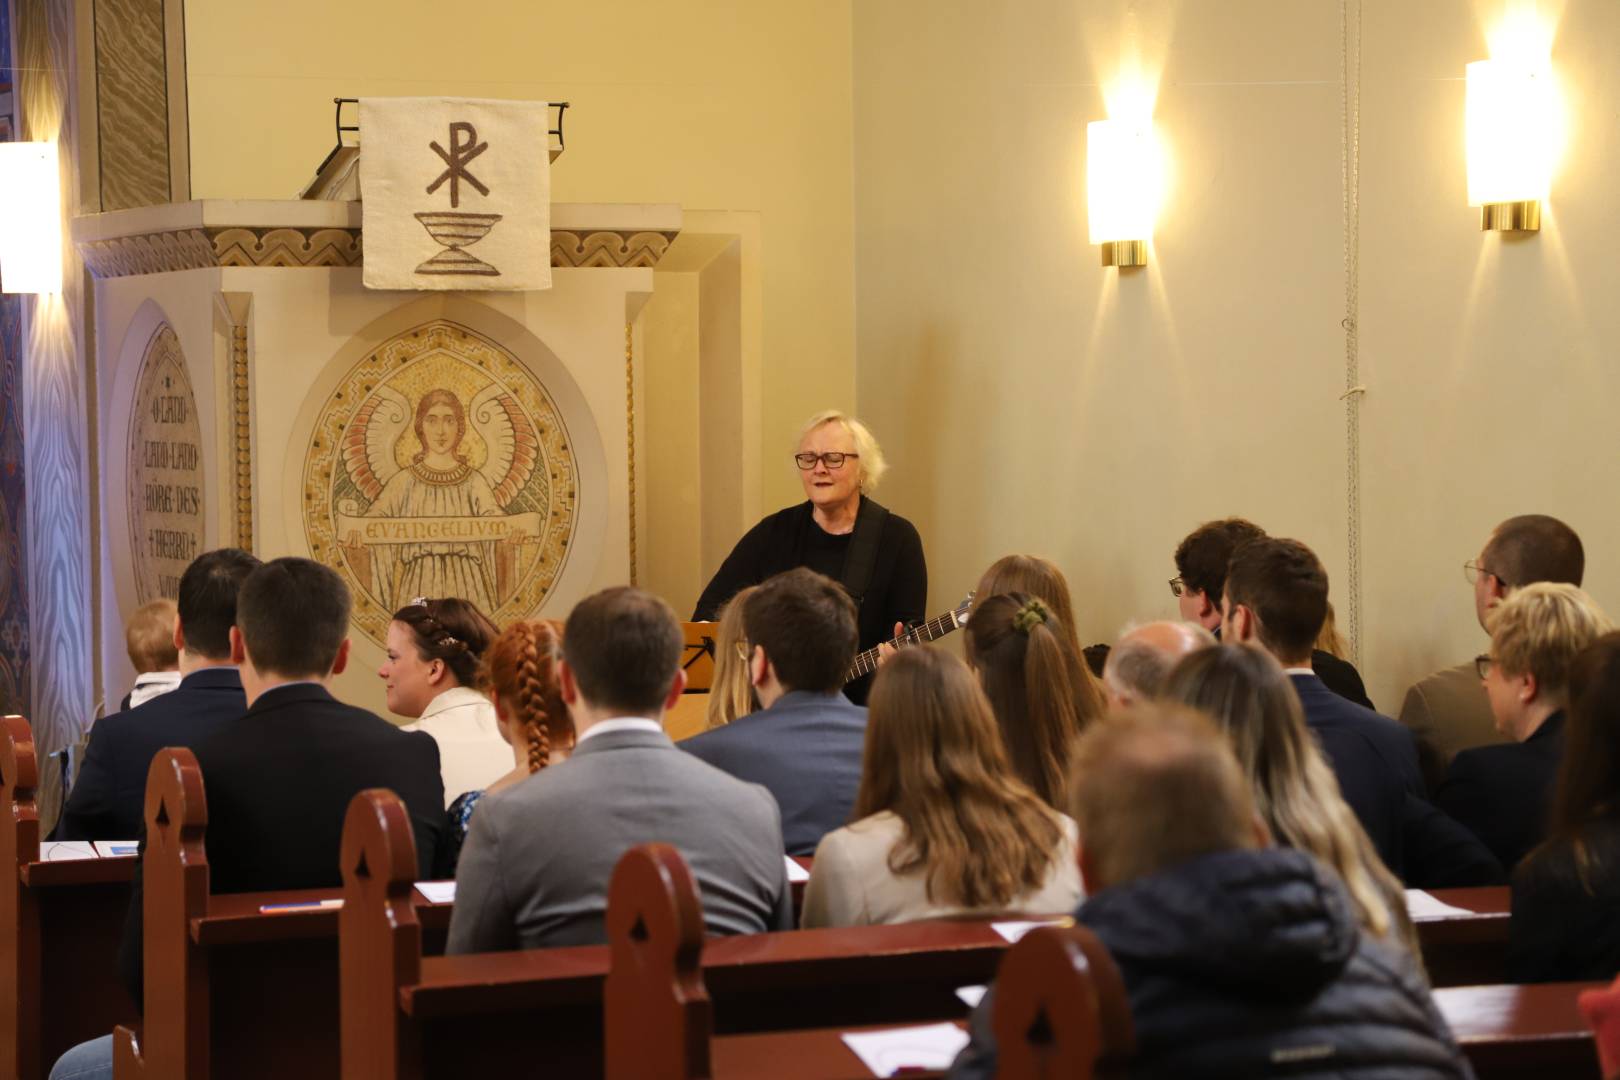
(1038, 687)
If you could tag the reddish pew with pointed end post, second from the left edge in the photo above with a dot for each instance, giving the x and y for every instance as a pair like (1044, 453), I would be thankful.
(231, 992)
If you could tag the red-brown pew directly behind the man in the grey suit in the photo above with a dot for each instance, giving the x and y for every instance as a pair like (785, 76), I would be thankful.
(417, 1016)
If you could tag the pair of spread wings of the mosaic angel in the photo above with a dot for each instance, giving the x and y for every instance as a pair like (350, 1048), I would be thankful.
(370, 457)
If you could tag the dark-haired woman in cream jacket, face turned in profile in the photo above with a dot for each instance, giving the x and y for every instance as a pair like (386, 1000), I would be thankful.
(432, 674)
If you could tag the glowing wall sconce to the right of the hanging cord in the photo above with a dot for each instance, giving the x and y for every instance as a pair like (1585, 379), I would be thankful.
(1512, 124)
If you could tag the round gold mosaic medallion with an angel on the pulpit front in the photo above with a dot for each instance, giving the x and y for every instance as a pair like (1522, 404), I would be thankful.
(441, 467)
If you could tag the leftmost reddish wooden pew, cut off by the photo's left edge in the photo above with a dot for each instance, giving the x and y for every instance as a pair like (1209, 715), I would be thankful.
(59, 930)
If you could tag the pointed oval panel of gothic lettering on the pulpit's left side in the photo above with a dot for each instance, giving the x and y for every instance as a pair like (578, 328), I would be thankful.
(166, 470)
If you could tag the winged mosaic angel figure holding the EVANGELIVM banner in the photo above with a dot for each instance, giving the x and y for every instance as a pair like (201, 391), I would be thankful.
(432, 551)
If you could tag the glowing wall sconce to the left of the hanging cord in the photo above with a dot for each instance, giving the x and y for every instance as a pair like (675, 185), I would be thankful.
(1122, 181)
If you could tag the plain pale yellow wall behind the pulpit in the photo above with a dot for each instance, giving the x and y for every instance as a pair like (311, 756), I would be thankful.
(717, 106)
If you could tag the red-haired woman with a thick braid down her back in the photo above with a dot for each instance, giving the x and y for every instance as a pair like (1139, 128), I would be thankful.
(521, 676)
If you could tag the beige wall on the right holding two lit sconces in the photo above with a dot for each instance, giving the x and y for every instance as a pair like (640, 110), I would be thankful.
(1033, 401)
